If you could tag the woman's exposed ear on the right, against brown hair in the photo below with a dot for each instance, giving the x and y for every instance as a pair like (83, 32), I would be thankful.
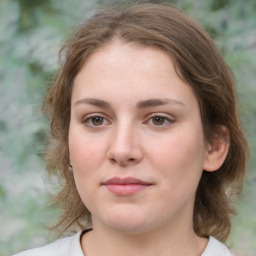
(217, 151)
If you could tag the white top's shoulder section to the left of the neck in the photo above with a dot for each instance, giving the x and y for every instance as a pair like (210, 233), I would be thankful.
(62, 247)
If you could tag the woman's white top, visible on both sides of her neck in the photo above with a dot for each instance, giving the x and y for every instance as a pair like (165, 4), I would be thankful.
(71, 246)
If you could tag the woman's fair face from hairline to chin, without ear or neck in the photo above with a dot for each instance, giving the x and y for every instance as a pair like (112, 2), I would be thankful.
(136, 139)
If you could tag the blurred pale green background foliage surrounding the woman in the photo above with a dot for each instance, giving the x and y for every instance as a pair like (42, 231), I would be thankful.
(31, 34)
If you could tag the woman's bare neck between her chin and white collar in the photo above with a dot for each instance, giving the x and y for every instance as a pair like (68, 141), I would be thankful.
(166, 241)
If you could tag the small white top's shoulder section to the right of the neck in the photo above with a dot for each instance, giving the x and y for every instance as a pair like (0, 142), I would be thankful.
(216, 248)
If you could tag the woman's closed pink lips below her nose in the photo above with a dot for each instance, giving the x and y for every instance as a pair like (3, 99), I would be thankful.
(125, 186)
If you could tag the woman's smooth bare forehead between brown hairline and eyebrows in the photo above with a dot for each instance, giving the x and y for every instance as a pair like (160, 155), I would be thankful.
(136, 71)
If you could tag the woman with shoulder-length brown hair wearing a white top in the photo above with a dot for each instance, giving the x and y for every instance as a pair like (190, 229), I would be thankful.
(146, 137)
